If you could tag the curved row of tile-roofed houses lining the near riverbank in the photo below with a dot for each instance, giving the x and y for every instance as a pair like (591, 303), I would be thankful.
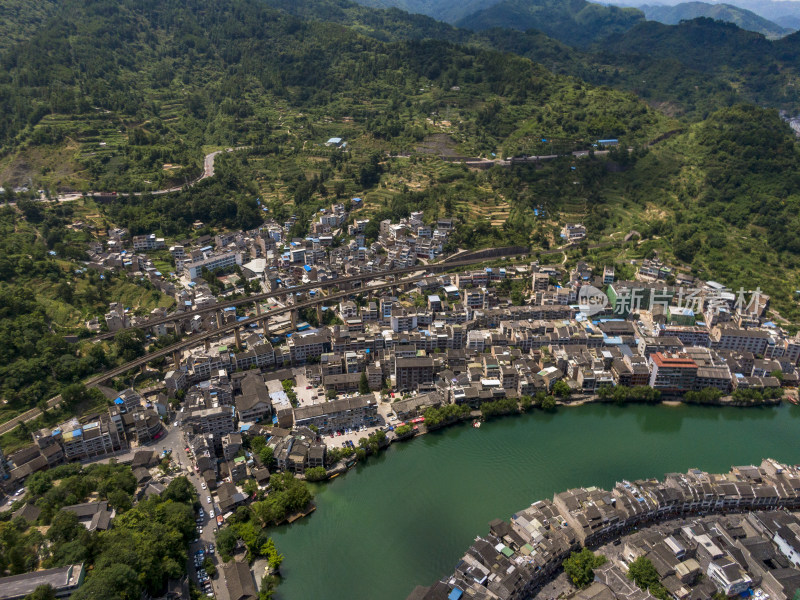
(530, 549)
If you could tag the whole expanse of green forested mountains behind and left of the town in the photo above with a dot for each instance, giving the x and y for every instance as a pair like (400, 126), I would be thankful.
(130, 94)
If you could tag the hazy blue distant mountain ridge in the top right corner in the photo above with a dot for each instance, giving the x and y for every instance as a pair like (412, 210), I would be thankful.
(745, 19)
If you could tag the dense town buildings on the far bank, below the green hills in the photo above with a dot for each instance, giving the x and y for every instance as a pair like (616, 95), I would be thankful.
(473, 336)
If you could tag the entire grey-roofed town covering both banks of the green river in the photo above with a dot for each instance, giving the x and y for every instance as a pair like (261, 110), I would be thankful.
(329, 348)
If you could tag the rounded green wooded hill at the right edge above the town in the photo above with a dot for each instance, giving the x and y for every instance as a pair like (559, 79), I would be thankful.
(731, 190)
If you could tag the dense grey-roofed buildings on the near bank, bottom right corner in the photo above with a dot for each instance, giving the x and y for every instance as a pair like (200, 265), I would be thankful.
(730, 533)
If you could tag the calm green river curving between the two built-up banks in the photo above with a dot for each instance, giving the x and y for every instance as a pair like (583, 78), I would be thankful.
(406, 517)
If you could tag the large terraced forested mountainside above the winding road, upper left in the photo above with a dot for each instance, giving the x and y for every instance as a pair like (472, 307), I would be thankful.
(157, 80)
